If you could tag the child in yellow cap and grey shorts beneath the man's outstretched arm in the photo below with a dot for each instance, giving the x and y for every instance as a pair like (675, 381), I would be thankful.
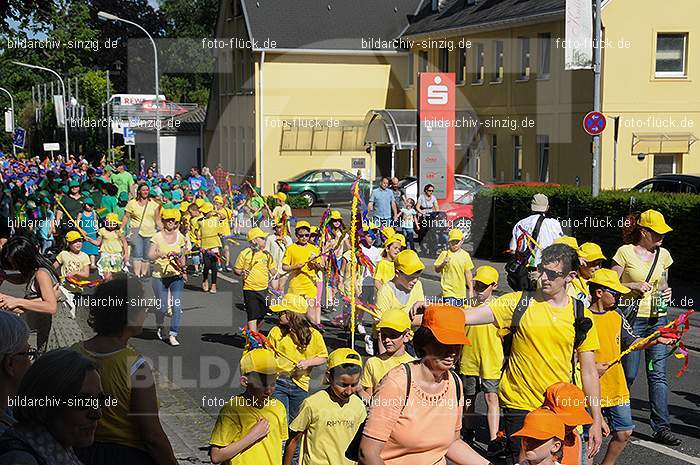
(480, 365)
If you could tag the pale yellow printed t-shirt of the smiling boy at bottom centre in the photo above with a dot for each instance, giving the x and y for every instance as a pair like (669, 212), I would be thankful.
(329, 428)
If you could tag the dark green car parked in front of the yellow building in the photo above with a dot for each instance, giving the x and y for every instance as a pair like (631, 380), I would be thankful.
(323, 186)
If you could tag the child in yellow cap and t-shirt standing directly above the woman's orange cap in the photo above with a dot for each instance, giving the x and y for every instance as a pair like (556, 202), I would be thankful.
(455, 267)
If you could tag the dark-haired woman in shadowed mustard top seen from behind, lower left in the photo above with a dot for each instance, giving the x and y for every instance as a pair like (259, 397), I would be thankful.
(130, 430)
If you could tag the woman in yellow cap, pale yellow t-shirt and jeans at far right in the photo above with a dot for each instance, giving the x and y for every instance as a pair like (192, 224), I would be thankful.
(642, 266)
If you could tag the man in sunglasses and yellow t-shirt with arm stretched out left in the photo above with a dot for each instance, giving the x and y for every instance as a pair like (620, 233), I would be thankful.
(543, 344)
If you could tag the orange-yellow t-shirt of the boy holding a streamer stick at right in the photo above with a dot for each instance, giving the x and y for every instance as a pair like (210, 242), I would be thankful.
(613, 385)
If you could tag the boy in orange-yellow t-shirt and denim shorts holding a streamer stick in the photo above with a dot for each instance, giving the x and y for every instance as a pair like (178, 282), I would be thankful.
(614, 335)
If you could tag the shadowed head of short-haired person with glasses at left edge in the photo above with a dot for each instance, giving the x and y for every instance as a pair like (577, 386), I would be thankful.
(16, 356)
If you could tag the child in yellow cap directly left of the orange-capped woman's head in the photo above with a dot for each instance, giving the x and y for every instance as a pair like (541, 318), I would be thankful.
(394, 330)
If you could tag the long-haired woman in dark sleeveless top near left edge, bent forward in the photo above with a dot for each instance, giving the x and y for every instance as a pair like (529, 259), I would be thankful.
(43, 303)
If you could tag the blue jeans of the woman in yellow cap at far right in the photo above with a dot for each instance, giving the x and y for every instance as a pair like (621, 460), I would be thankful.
(656, 379)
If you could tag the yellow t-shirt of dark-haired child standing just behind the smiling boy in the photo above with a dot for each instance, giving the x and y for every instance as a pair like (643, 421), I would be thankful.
(285, 345)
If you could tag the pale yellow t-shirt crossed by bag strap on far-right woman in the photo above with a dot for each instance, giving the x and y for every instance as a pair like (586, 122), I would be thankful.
(636, 270)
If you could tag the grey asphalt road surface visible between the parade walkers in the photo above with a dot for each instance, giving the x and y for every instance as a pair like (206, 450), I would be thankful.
(205, 368)
